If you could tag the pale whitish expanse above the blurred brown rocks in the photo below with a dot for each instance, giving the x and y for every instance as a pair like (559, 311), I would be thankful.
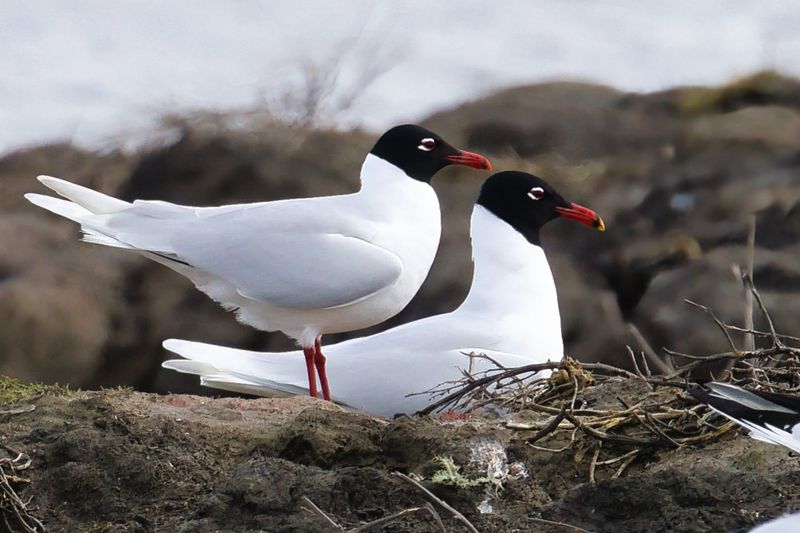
(98, 72)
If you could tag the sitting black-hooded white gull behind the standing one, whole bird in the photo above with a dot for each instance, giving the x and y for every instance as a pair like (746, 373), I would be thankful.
(511, 314)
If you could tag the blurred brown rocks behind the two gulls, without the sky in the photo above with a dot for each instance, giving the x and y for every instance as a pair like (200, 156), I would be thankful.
(675, 174)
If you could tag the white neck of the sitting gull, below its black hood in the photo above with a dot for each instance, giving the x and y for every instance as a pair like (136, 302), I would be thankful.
(511, 275)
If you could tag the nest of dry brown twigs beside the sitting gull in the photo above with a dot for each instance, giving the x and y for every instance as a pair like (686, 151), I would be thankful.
(614, 415)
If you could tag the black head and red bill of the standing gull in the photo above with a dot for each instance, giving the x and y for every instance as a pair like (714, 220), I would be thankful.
(421, 153)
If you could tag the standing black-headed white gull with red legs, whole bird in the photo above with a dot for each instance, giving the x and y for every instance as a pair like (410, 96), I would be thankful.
(307, 266)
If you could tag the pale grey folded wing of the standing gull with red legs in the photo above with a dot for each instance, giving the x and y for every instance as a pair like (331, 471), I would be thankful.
(293, 253)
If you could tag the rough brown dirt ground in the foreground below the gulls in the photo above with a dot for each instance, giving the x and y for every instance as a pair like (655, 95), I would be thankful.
(119, 460)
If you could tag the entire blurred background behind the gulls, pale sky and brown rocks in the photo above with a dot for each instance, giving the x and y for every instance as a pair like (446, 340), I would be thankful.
(675, 121)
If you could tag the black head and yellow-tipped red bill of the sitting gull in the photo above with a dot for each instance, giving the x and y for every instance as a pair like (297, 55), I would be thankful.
(527, 203)
